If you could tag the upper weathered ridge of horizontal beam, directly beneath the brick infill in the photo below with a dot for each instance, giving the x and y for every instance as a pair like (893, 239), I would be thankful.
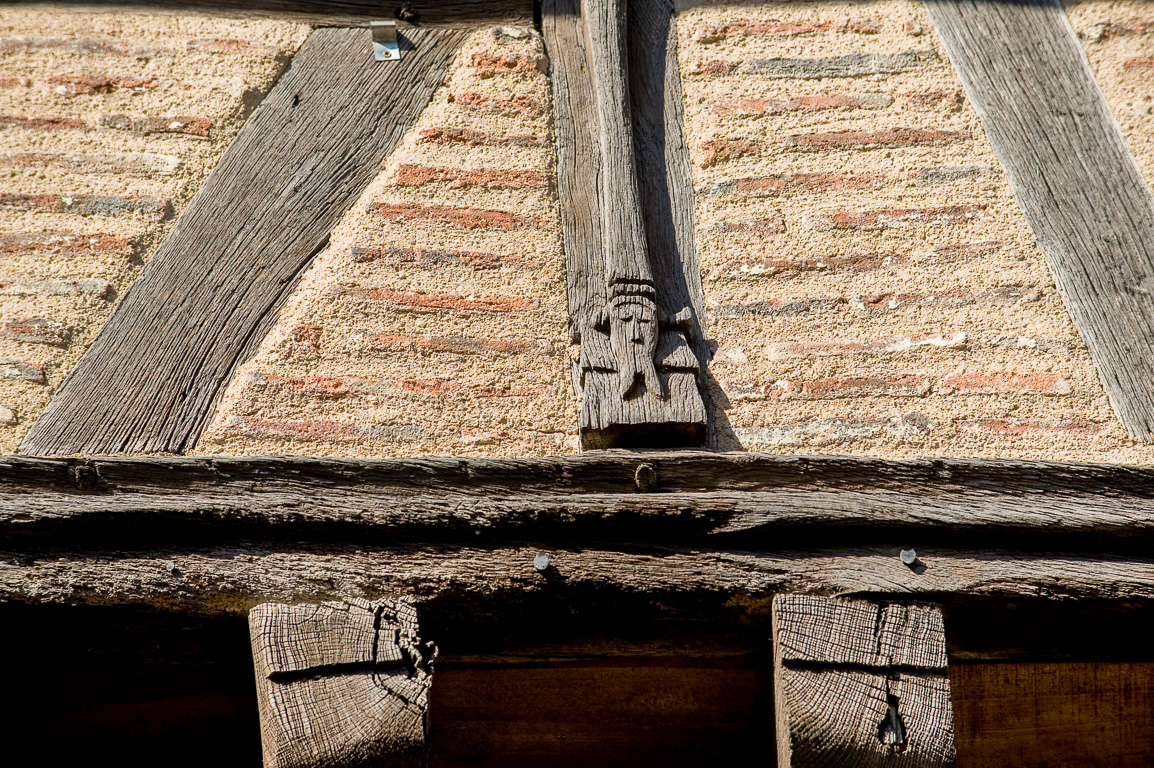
(739, 498)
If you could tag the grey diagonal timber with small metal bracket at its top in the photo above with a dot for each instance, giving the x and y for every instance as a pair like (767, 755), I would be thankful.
(204, 303)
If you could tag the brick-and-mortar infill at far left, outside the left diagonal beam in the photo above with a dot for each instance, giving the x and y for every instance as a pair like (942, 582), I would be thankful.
(133, 110)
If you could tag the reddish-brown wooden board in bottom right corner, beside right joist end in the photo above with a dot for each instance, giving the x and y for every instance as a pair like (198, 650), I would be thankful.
(1075, 716)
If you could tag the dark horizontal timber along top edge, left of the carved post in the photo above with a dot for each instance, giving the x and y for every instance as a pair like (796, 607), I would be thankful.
(343, 13)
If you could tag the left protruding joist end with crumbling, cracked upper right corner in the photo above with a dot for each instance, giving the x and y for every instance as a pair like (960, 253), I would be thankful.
(341, 684)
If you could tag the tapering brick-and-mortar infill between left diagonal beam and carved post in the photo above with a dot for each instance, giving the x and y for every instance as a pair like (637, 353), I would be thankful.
(458, 345)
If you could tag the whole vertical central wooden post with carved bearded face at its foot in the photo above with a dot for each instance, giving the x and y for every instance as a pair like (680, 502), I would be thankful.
(633, 272)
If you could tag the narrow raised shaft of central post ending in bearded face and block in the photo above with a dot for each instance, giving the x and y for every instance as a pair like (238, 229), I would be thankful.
(639, 375)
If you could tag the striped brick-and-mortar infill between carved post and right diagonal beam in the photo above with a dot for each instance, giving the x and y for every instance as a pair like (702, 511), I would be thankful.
(897, 335)
